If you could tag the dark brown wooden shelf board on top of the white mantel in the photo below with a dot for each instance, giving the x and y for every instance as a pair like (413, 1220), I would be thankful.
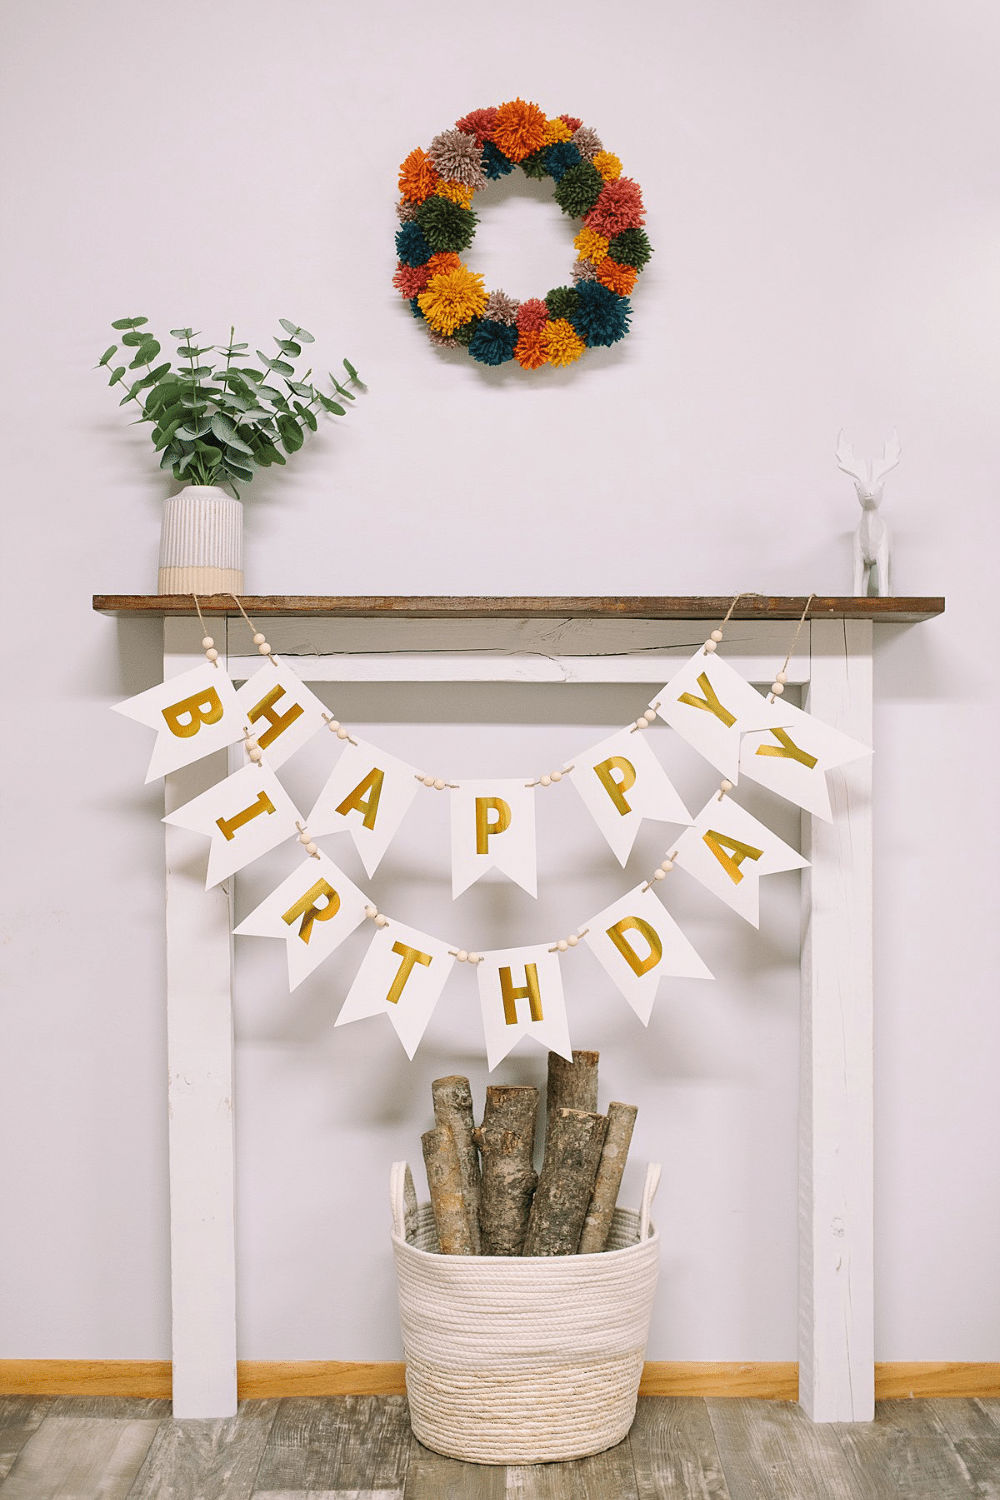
(753, 607)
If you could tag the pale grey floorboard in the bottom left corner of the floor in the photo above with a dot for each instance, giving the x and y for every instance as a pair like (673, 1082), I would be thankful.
(80, 1459)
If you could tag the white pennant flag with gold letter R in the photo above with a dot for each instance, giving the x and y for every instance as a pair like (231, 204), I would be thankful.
(314, 911)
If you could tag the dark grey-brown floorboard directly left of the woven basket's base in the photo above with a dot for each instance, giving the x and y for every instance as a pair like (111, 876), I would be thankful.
(338, 1444)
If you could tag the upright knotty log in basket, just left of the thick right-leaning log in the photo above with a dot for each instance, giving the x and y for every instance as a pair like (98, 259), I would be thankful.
(507, 1145)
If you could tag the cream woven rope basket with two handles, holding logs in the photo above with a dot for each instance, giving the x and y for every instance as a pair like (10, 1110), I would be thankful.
(524, 1361)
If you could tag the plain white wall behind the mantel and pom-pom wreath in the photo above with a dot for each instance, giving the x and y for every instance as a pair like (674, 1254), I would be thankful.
(822, 197)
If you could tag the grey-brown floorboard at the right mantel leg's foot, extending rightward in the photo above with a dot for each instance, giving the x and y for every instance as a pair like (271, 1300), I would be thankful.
(905, 1454)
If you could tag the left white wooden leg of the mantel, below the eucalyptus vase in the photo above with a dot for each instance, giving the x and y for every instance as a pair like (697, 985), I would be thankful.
(200, 1082)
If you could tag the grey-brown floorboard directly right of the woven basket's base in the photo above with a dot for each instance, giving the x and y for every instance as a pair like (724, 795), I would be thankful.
(675, 1451)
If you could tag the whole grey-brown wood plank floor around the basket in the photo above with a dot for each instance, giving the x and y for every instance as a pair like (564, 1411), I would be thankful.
(361, 1448)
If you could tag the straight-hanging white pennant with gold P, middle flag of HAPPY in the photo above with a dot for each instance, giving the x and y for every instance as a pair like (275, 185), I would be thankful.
(494, 826)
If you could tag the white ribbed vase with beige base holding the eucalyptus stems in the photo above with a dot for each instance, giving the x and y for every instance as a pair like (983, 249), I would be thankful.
(202, 544)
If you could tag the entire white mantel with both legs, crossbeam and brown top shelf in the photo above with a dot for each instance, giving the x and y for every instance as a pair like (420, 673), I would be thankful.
(546, 641)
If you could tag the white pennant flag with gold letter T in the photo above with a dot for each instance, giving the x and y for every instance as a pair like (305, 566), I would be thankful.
(403, 977)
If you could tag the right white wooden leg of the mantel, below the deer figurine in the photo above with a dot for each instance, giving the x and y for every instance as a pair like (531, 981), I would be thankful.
(836, 1106)
